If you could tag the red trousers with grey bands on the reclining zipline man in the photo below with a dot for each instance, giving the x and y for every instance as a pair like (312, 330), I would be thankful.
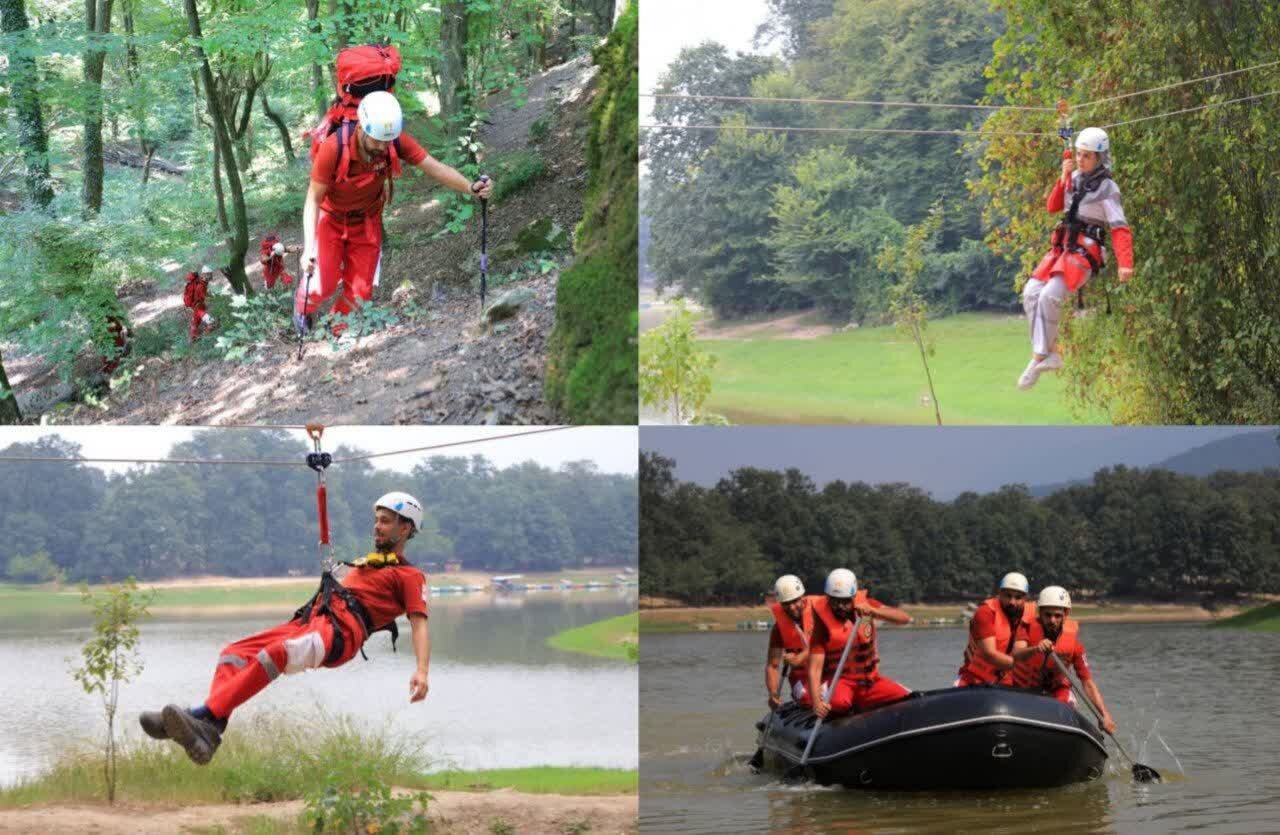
(250, 664)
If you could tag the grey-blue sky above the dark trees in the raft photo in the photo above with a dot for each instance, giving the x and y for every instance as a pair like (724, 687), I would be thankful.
(943, 462)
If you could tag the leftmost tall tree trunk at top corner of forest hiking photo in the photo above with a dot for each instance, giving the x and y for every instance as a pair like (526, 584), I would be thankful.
(26, 104)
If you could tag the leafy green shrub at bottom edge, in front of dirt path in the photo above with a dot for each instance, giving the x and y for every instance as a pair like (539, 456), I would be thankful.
(363, 804)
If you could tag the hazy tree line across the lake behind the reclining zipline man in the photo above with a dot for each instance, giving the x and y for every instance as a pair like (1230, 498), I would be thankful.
(72, 522)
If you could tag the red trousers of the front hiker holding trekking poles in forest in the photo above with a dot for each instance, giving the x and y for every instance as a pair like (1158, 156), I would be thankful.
(349, 252)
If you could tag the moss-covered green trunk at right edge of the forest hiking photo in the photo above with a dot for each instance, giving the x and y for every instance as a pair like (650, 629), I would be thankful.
(592, 353)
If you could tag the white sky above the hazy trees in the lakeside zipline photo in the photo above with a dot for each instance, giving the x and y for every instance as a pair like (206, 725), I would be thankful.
(612, 449)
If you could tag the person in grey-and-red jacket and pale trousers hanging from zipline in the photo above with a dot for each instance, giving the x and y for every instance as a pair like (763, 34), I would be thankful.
(1091, 203)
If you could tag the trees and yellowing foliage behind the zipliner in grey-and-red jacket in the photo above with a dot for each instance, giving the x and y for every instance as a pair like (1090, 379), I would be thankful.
(757, 222)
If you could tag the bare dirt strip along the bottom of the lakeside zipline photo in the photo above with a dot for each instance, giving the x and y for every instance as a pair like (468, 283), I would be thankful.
(456, 813)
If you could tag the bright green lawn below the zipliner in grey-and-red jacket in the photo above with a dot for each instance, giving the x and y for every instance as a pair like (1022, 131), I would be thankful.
(875, 376)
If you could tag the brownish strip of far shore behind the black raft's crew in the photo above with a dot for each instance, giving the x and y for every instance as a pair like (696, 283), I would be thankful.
(728, 618)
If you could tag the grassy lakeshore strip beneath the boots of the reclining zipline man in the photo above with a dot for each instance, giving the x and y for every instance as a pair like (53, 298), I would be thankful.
(271, 760)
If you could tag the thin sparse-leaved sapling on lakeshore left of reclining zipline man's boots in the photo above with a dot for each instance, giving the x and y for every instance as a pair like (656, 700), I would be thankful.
(111, 656)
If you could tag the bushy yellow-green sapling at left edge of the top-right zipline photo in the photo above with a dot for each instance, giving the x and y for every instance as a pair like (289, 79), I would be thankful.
(675, 375)
